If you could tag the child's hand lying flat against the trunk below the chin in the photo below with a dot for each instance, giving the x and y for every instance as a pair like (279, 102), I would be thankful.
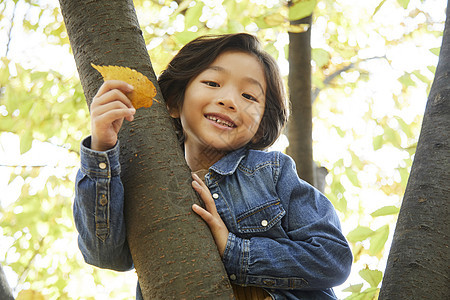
(218, 228)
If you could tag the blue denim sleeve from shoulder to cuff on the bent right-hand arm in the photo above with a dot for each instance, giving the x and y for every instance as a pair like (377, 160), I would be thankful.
(313, 253)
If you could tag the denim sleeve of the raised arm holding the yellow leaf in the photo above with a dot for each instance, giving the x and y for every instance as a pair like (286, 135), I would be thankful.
(98, 209)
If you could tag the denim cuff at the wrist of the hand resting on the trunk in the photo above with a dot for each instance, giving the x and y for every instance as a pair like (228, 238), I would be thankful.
(235, 258)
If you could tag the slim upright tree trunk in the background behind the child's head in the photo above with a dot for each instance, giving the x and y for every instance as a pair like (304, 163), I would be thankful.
(300, 123)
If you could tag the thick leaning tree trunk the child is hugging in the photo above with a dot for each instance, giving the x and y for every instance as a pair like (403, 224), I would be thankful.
(173, 250)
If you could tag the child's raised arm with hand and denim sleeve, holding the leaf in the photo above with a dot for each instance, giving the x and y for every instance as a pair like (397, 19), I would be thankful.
(98, 205)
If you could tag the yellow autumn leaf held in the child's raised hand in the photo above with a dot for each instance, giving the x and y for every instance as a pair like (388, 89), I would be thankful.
(144, 90)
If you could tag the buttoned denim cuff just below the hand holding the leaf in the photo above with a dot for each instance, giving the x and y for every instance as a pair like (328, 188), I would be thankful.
(103, 164)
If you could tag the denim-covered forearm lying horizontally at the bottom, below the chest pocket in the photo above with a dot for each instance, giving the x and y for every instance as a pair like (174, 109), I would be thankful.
(316, 263)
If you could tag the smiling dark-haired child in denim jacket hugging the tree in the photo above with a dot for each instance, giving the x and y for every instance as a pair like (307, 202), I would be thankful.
(279, 238)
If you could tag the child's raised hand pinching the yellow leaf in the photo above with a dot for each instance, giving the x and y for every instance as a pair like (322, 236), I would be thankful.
(108, 109)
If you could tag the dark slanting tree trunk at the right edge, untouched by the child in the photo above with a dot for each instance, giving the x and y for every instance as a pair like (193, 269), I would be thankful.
(419, 259)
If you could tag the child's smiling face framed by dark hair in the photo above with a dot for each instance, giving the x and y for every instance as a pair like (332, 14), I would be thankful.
(223, 106)
